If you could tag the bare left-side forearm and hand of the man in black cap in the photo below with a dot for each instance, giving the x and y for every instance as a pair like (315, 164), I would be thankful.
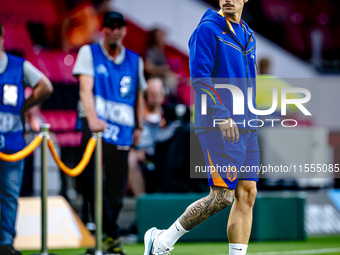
(86, 96)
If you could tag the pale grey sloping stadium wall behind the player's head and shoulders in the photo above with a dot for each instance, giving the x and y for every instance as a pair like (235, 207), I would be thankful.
(180, 17)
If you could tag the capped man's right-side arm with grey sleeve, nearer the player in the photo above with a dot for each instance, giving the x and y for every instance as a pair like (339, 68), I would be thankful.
(139, 109)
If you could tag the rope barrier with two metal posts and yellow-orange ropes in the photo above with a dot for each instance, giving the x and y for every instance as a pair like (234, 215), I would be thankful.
(95, 142)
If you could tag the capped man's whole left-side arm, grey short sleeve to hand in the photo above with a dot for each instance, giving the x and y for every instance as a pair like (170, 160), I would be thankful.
(84, 69)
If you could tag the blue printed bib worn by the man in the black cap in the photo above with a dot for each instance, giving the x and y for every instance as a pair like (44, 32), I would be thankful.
(115, 93)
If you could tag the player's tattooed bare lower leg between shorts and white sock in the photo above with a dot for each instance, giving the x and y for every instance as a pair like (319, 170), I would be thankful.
(218, 199)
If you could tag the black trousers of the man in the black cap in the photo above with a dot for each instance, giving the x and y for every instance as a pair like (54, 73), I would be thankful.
(115, 165)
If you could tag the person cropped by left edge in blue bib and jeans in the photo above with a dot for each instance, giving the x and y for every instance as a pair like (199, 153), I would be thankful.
(15, 74)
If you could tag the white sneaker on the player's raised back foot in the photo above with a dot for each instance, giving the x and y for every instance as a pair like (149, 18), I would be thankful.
(152, 247)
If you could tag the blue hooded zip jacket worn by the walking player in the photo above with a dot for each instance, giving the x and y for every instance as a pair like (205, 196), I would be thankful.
(217, 57)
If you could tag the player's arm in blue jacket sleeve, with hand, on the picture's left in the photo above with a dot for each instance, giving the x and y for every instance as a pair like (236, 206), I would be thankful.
(203, 51)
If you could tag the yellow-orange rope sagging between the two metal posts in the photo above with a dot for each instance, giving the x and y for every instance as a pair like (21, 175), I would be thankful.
(82, 164)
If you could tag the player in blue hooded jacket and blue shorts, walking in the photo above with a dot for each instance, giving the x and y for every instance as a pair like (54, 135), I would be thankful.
(222, 52)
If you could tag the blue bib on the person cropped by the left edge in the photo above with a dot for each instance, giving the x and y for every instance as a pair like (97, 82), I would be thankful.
(12, 100)
